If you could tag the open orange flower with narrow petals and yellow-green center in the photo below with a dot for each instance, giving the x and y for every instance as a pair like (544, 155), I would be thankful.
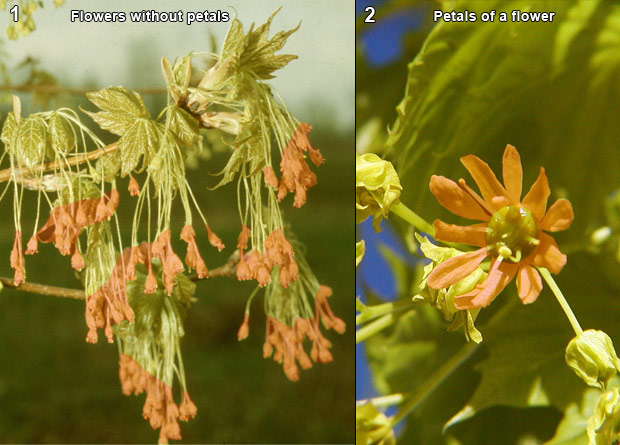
(511, 232)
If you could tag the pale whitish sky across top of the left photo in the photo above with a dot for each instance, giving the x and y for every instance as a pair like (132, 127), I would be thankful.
(104, 54)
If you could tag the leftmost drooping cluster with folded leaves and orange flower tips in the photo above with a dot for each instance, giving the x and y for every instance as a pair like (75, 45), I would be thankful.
(30, 142)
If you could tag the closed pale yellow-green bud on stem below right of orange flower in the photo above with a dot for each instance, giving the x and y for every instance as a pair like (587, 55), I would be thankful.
(593, 358)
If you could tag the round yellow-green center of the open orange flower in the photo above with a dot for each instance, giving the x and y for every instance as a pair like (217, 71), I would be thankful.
(512, 232)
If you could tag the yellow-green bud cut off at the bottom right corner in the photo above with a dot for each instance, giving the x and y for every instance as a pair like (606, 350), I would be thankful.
(603, 426)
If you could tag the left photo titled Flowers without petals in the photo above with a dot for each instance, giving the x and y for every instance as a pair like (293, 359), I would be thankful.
(177, 227)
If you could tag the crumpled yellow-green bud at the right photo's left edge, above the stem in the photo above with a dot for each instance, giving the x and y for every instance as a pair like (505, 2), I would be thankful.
(377, 188)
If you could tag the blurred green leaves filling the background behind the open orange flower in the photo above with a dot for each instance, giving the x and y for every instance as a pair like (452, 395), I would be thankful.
(550, 89)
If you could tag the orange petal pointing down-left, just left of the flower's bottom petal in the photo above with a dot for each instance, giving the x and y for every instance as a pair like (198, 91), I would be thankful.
(499, 277)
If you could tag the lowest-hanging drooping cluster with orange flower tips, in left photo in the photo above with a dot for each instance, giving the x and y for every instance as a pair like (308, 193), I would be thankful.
(150, 355)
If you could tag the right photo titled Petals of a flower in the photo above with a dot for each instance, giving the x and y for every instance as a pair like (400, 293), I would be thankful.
(488, 222)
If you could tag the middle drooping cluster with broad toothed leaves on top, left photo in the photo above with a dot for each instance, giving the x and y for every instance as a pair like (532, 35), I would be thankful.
(161, 148)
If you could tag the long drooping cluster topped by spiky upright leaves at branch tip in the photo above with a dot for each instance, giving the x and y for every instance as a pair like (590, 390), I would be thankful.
(248, 110)
